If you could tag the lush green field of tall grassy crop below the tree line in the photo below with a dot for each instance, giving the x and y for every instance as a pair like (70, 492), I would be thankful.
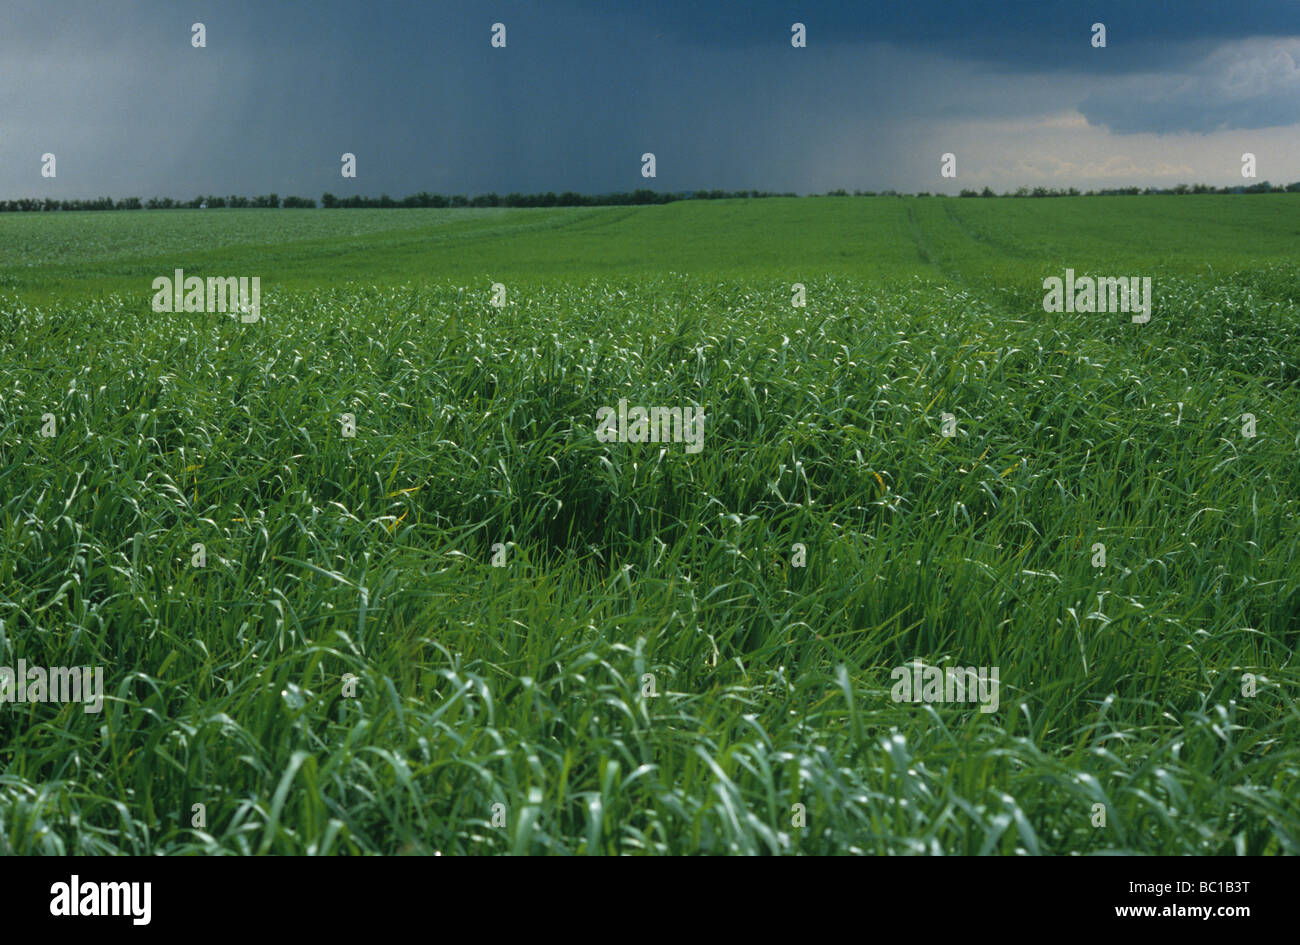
(509, 709)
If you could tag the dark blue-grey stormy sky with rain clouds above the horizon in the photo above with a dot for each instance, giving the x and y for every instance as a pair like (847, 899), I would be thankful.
(584, 88)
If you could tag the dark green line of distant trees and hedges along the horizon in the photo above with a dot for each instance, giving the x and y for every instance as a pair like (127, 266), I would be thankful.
(569, 198)
